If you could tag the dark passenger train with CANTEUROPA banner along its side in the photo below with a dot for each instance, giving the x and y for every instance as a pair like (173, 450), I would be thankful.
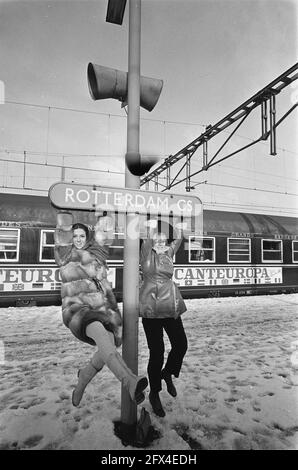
(235, 254)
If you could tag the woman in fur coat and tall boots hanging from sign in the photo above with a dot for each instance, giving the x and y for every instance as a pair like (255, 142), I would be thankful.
(89, 307)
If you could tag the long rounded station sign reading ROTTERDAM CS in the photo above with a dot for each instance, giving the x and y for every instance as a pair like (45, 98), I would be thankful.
(74, 196)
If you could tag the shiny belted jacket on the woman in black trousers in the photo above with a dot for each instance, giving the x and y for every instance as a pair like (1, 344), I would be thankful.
(159, 294)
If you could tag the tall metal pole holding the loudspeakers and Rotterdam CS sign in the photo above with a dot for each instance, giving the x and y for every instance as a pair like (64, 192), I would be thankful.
(131, 244)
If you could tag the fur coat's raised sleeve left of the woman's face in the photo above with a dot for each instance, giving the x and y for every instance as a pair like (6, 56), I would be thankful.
(63, 238)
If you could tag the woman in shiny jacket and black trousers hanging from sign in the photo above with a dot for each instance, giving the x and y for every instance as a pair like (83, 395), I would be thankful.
(161, 306)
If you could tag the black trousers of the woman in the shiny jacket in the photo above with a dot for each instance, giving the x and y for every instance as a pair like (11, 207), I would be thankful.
(154, 333)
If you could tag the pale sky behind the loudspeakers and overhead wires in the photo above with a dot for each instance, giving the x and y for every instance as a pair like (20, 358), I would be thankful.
(211, 55)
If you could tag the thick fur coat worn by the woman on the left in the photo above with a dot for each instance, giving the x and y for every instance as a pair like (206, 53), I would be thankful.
(86, 294)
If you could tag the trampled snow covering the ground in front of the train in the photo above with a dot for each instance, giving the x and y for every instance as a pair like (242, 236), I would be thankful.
(238, 388)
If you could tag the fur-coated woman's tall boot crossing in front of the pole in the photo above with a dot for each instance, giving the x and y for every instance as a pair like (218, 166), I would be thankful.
(133, 384)
